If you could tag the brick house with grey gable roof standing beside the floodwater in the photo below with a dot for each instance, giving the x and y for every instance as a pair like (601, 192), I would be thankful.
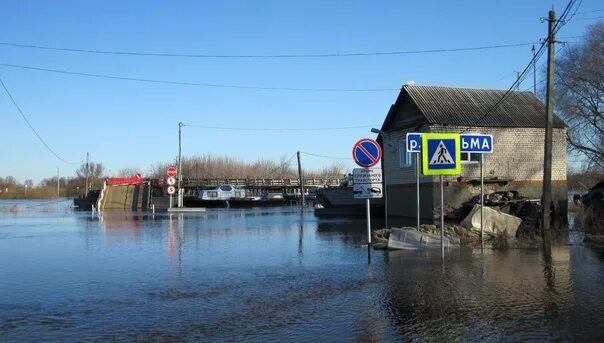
(517, 124)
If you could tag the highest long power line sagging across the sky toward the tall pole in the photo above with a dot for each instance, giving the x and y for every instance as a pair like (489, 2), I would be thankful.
(324, 55)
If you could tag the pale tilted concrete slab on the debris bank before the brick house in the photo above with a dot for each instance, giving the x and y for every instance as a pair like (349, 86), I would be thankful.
(495, 222)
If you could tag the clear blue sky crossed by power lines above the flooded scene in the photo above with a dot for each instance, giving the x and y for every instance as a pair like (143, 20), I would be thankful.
(126, 124)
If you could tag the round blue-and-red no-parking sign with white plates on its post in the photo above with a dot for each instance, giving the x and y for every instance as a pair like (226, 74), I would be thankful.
(367, 153)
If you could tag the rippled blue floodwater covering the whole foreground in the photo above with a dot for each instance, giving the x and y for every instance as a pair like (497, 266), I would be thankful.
(275, 275)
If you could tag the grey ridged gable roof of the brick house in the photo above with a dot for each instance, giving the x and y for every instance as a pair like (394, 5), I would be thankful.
(474, 107)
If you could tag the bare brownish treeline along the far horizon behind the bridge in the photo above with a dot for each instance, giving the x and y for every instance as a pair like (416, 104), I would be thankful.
(199, 167)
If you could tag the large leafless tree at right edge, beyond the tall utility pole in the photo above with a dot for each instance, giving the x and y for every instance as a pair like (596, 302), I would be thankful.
(579, 96)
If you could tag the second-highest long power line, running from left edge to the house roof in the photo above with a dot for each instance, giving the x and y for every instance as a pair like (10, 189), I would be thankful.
(197, 84)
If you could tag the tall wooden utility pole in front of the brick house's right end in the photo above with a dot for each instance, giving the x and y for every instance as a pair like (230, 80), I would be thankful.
(547, 160)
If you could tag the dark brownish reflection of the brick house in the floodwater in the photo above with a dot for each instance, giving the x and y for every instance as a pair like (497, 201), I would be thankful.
(480, 297)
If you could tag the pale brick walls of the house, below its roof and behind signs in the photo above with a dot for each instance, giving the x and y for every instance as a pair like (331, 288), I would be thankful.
(517, 156)
